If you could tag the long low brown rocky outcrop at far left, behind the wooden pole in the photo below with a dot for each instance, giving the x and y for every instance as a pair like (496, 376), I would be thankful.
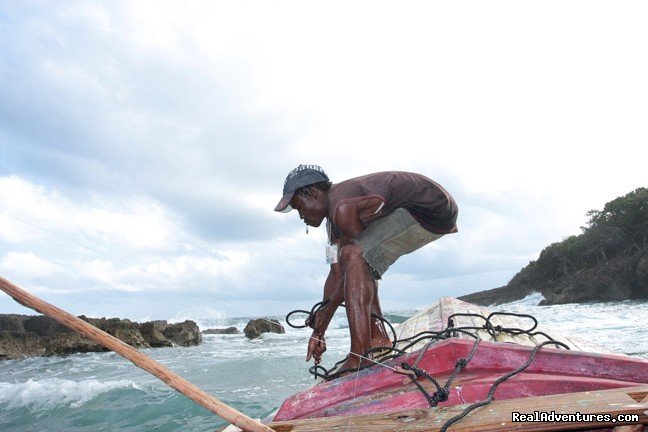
(27, 336)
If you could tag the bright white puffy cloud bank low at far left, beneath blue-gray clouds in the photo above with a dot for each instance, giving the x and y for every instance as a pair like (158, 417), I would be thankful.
(135, 223)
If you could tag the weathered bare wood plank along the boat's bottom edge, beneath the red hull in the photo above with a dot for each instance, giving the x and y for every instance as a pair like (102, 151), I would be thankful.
(496, 416)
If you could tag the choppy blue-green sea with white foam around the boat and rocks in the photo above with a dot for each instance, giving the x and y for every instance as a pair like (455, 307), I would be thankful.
(104, 392)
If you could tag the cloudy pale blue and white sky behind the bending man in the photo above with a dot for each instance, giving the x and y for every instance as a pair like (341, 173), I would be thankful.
(143, 145)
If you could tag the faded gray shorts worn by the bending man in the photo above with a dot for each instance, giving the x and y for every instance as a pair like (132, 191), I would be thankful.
(391, 237)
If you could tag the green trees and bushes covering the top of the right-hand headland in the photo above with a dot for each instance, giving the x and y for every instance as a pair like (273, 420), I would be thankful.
(620, 229)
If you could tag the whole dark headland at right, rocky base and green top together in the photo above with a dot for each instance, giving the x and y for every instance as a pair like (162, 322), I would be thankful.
(608, 261)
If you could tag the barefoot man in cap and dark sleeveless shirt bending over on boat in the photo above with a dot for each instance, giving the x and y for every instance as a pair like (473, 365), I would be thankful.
(371, 221)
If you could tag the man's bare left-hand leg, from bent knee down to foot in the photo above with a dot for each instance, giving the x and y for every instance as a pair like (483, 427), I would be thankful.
(359, 290)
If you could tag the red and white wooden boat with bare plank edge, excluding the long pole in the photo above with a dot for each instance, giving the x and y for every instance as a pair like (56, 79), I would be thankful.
(586, 376)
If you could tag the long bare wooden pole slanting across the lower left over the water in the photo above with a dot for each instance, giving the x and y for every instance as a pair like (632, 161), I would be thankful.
(172, 379)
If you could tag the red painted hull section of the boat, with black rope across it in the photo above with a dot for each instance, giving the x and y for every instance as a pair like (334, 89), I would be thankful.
(553, 371)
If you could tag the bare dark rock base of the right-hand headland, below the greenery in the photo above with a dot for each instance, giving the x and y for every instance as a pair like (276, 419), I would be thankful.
(620, 278)
